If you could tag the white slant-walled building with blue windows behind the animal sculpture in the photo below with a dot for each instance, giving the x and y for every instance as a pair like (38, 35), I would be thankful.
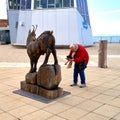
(69, 20)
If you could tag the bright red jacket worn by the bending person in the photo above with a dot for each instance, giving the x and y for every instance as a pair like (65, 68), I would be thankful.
(80, 55)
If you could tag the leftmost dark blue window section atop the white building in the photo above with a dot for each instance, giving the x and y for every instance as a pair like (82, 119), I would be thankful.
(19, 4)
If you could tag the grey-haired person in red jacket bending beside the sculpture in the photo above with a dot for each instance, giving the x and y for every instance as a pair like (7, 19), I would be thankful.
(80, 56)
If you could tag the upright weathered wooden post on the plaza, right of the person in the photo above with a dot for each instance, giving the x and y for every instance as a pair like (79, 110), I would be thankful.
(102, 55)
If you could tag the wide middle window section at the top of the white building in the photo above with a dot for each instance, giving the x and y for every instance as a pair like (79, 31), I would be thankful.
(42, 4)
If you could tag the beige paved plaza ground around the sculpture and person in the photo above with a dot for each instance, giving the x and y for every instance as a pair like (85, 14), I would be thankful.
(100, 100)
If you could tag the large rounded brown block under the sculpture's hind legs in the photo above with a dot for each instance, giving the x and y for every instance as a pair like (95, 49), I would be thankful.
(49, 76)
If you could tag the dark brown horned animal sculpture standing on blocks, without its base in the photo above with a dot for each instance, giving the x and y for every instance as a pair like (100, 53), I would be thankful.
(44, 44)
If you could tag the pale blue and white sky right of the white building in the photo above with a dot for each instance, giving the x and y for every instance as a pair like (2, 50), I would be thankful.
(104, 16)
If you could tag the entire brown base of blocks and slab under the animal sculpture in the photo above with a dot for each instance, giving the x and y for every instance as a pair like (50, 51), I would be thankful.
(45, 82)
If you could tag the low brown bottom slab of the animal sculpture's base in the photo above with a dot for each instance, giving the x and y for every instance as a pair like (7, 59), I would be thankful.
(51, 94)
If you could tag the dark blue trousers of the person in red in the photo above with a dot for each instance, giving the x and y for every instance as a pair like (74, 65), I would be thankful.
(81, 74)
